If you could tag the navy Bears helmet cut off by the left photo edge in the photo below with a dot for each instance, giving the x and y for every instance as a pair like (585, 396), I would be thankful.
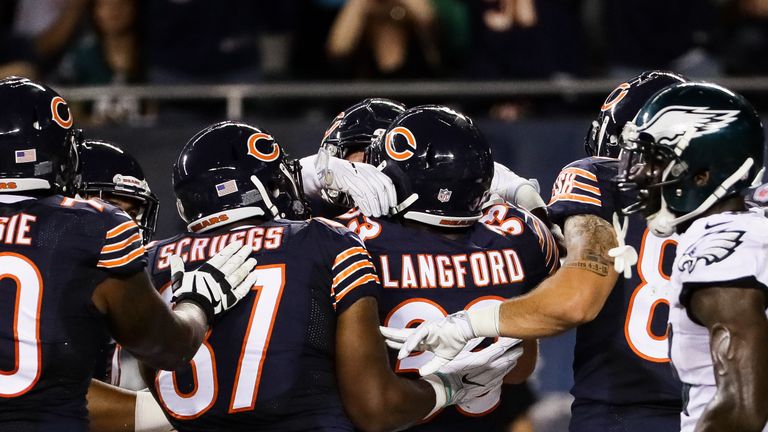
(37, 140)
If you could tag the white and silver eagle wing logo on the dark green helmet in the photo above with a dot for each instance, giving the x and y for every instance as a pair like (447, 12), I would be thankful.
(672, 122)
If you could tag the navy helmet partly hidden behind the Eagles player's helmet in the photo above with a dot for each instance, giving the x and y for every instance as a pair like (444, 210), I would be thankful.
(621, 106)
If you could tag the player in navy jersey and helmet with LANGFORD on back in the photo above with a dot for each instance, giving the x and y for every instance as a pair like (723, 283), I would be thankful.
(434, 256)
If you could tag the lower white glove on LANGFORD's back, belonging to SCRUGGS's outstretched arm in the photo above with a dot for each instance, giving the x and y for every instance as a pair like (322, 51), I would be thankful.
(472, 375)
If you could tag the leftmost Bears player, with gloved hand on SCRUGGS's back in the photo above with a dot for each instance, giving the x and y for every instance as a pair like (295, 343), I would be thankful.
(72, 273)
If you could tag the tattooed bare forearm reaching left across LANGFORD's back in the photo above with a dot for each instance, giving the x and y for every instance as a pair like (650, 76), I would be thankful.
(575, 294)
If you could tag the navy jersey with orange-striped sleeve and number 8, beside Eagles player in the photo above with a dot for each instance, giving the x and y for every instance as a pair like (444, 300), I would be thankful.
(621, 357)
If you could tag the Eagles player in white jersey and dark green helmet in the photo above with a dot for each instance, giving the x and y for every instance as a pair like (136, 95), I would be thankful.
(691, 154)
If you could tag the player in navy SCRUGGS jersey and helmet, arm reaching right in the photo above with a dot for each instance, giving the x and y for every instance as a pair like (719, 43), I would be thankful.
(305, 348)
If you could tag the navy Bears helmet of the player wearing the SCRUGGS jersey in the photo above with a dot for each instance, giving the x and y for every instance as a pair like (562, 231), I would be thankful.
(231, 171)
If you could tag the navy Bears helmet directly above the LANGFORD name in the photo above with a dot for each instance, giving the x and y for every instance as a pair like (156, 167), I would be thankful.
(440, 164)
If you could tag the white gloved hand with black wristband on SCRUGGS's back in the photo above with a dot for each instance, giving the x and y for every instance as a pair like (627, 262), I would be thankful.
(219, 283)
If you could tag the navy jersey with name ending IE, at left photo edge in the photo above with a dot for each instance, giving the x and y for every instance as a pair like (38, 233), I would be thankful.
(54, 251)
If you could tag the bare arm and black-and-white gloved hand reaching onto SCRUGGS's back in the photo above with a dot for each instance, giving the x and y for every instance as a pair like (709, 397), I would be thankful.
(141, 322)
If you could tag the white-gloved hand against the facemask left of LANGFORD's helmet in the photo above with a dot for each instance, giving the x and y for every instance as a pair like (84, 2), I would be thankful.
(371, 190)
